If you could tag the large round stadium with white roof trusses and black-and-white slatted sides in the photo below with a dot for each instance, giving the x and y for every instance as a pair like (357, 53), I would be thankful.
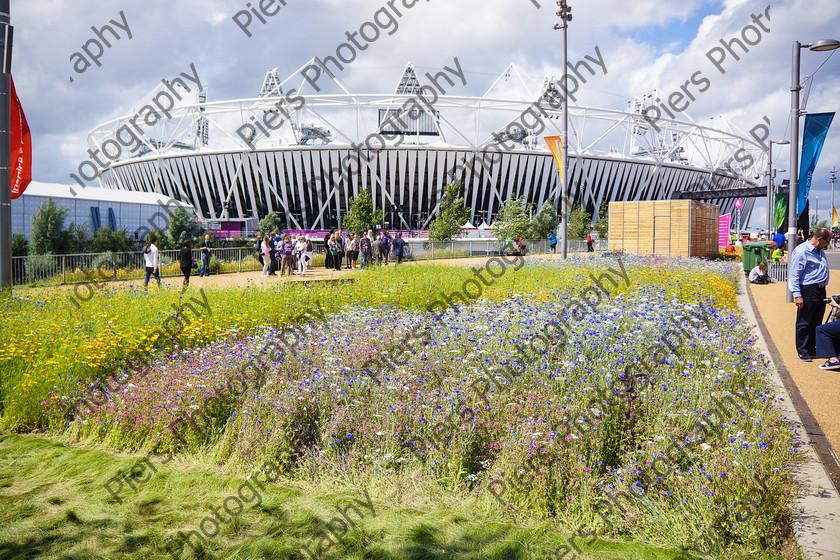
(305, 153)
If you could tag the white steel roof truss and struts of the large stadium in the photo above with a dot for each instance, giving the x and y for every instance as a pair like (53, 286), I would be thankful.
(283, 117)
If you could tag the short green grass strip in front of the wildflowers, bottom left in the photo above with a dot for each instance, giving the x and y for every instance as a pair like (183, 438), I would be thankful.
(53, 505)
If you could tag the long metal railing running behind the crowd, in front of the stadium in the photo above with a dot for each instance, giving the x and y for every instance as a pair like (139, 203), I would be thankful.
(53, 270)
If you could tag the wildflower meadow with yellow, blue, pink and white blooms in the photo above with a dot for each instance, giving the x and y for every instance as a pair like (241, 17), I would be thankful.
(371, 389)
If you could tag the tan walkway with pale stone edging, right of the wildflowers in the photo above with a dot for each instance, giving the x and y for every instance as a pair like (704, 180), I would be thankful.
(811, 398)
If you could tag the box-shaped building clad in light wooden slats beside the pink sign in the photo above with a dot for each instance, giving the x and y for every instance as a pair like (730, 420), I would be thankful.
(684, 228)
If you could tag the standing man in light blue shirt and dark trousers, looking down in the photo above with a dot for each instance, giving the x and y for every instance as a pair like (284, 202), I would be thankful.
(806, 281)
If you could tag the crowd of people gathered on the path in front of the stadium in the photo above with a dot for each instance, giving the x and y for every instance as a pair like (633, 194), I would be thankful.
(293, 254)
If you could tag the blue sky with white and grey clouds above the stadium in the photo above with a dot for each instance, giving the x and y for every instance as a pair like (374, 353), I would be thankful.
(646, 45)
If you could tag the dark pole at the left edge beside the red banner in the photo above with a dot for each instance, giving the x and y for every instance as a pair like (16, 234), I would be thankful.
(5, 150)
